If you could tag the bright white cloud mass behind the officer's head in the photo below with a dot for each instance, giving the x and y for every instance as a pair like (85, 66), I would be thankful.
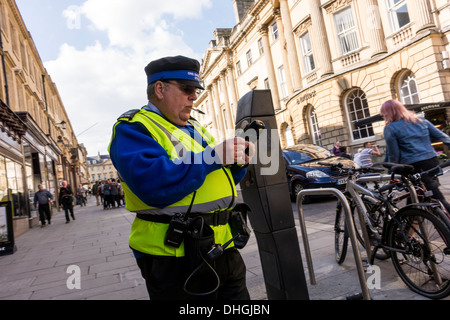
(101, 81)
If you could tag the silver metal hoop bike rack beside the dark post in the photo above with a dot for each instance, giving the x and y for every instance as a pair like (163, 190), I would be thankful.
(351, 229)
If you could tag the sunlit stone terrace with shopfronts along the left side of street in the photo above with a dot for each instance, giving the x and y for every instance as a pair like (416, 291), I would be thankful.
(37, 141)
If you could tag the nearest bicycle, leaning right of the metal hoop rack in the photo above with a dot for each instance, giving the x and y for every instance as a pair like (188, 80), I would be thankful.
(415, 236)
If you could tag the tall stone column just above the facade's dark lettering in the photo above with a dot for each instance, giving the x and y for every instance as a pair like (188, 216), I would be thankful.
(319, 39)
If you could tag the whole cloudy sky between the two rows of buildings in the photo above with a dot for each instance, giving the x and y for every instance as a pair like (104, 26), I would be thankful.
(96, 50)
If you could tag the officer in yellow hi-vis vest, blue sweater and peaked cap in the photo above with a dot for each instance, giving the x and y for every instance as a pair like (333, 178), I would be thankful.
(171, 166)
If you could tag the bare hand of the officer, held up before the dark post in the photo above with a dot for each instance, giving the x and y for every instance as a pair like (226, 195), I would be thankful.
(232, 151)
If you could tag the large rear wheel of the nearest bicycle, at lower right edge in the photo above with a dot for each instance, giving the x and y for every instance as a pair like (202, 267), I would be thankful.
(422, 260)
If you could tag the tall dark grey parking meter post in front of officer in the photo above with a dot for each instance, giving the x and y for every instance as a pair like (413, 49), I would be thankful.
(264, 189)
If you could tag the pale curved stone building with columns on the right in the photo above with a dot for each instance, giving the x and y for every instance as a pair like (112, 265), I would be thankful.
(329, 63)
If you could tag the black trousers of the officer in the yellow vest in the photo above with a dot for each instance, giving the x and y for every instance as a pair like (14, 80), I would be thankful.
(166, 278)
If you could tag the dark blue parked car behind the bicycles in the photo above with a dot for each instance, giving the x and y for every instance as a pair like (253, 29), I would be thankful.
(304, 171)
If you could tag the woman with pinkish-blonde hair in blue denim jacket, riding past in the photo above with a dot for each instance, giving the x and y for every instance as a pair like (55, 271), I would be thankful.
(408, 141)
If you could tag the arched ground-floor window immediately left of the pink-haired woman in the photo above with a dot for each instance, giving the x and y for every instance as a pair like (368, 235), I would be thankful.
(358, 109)
